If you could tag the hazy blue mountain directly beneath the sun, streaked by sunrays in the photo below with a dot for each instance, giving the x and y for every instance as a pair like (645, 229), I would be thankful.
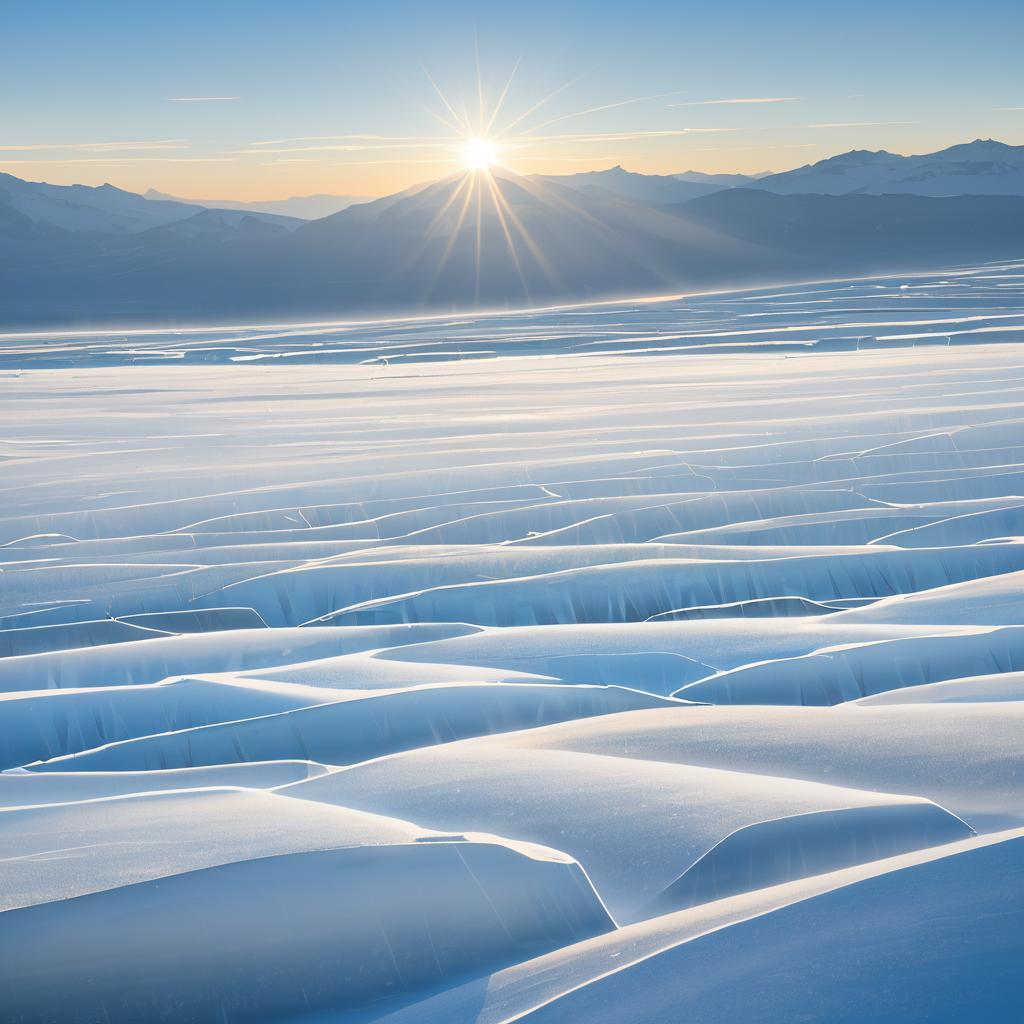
(536, 240)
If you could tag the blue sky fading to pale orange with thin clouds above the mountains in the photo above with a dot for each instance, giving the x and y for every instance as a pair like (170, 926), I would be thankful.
(250, 100)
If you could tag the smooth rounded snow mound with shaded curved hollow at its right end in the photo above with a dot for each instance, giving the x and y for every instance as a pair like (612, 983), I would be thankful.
(666, 818)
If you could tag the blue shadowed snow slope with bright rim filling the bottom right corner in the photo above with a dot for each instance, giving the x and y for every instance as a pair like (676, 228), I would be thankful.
(919, 937)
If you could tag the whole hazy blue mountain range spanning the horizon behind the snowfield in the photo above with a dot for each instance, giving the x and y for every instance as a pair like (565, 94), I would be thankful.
(89, 258)
